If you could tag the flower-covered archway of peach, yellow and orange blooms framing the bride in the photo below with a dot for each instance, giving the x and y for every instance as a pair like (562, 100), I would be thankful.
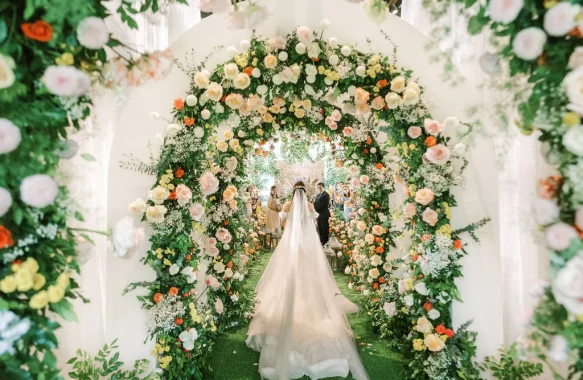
(293, 83)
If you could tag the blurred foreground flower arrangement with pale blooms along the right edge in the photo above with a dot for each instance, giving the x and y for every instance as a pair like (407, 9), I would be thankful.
(538, 49)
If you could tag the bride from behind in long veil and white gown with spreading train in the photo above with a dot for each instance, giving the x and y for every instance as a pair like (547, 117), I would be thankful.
(300, 326)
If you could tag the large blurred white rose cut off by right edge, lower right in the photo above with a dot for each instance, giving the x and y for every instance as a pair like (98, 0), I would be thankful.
(568, 285)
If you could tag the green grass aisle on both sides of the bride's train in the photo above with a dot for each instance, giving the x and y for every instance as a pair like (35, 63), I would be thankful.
(232, 360)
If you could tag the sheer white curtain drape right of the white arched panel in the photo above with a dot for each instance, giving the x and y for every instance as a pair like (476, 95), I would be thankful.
(521, 164)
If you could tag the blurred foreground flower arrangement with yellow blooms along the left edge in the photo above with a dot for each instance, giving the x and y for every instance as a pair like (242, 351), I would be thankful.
(52, 56)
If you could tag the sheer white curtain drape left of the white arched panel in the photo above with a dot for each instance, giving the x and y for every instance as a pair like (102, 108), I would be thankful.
(87, 179)
